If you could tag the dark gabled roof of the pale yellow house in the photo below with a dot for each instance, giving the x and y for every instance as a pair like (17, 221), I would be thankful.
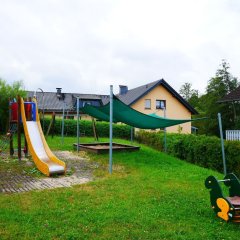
(133, 95)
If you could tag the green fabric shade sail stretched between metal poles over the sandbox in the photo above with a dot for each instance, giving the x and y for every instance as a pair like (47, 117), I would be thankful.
(125, 114)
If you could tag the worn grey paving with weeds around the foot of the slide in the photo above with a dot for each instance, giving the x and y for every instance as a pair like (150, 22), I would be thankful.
(81, 167)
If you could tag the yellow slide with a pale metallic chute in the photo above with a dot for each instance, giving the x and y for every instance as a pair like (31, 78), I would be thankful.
(42, 156)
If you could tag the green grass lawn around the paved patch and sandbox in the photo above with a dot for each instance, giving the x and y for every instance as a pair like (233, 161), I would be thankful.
(150, 195)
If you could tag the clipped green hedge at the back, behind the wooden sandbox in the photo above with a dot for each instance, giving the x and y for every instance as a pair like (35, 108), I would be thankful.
(70, 128)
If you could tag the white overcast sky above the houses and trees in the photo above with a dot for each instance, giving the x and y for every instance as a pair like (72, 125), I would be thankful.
(86, 45)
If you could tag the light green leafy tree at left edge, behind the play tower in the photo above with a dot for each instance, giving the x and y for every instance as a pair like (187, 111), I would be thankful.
(8, 91)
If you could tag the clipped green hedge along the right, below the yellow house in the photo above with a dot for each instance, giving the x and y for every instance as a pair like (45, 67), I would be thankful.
(201, 150)
